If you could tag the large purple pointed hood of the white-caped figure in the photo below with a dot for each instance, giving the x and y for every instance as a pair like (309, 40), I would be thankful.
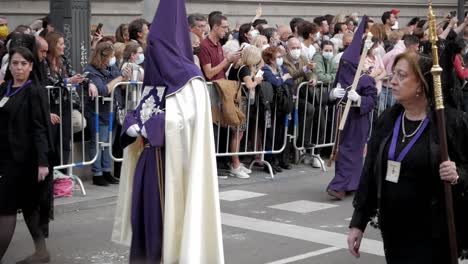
(169, 57)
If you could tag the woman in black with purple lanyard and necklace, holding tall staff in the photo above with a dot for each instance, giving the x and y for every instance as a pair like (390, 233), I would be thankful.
(402, 178)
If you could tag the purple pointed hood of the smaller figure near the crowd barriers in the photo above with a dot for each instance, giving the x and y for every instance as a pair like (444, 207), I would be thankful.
(350, 59)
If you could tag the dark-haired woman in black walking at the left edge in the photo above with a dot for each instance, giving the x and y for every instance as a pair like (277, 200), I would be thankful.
(24, 150)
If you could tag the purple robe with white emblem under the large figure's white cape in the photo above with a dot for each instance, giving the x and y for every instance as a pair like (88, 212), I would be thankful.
(147, 210)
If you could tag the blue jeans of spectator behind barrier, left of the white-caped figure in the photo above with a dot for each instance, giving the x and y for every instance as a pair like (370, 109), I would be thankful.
(103, 161)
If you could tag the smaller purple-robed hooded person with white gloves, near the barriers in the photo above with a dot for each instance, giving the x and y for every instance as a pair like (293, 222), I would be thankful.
(348, 166)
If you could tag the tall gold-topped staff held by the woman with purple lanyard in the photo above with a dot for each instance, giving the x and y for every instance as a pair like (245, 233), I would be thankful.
(440, 118)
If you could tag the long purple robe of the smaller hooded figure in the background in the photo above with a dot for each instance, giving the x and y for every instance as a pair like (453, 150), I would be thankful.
(348, 166)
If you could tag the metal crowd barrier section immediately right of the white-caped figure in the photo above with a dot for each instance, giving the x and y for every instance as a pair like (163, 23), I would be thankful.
(257, 134)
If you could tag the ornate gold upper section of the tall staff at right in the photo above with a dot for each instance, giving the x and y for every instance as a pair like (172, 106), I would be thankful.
(436, 69)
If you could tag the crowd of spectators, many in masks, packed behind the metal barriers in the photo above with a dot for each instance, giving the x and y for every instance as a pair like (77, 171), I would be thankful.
(254, 52)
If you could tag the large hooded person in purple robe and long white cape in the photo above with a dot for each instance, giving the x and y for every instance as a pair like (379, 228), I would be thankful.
(173, 206)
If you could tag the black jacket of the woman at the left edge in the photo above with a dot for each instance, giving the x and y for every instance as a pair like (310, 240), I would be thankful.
(29, 126)
